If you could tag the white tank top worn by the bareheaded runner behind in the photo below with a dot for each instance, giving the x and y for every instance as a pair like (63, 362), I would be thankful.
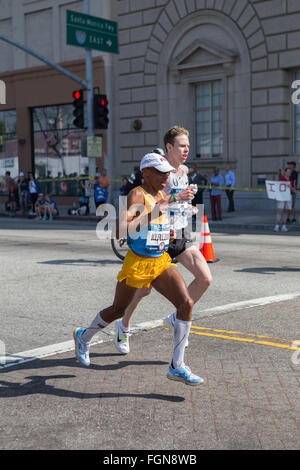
(178, 211)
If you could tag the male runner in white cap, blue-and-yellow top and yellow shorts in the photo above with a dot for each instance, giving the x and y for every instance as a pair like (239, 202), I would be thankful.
(147, 263)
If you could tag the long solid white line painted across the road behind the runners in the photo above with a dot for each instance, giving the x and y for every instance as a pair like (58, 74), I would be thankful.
(10, 360)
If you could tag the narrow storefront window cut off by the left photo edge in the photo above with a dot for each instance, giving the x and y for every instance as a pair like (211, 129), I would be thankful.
(9, 160)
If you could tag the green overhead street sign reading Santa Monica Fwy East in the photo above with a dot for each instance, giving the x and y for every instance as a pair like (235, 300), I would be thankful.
(92, 32)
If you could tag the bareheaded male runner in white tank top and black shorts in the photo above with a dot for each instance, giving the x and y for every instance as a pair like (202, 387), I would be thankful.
(176, 141)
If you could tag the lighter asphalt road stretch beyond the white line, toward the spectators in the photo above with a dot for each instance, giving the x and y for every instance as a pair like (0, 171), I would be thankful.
(56, 276)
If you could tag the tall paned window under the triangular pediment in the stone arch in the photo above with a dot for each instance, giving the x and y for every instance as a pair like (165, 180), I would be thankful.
(209, 126)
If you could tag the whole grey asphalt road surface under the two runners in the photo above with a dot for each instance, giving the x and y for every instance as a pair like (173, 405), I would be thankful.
(242, 342)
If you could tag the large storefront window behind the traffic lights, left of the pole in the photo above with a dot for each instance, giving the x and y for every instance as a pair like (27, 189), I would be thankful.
(58, 148)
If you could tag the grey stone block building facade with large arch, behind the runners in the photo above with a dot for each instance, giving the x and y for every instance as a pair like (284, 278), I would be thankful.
(175, 53)
